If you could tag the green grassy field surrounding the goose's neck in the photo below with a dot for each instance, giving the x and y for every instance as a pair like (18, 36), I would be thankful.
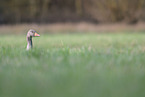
(75, 65)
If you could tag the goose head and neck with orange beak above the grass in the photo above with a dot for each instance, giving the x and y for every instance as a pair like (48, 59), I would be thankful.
(31, 33)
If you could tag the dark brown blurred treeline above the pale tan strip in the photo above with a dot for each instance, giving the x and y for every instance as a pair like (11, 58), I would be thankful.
(49, 11)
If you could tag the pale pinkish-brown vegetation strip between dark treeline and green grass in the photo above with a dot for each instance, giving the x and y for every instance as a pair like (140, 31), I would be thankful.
(72, 28)
